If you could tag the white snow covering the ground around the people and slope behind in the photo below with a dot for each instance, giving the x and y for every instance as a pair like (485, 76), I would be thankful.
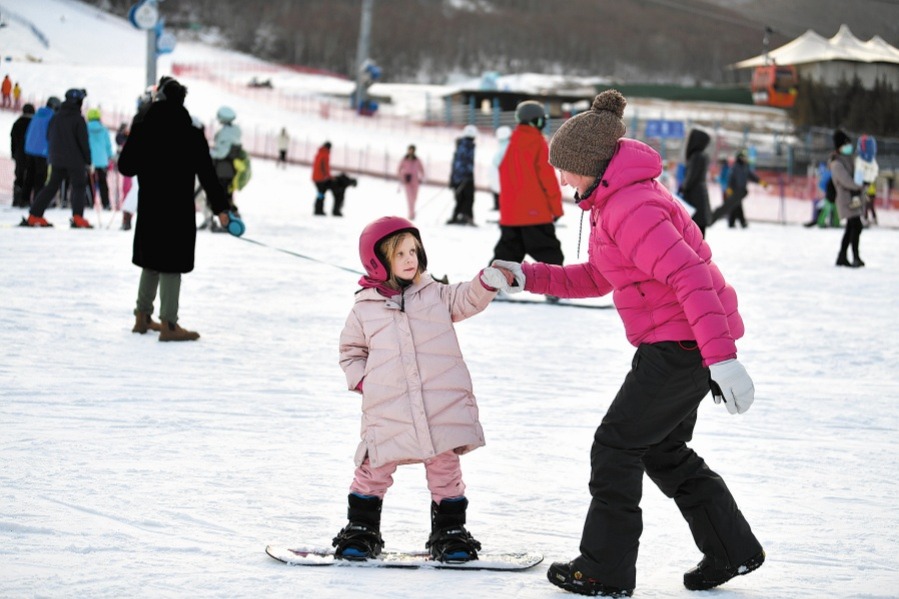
(133, 468)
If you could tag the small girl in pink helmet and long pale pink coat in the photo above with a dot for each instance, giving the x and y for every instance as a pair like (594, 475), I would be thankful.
(399, 350)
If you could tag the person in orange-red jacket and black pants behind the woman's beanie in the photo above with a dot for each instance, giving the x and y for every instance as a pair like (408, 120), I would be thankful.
(531, 198)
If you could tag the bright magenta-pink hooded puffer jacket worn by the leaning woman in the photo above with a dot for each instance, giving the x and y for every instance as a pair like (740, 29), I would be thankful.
(647, 251)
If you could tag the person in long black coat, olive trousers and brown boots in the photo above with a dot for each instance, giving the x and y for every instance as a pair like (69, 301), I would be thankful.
(167, 154)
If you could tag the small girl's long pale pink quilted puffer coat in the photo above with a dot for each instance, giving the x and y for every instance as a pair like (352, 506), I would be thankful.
(417, 398)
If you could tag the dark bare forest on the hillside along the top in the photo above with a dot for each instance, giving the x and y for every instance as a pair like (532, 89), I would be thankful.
(430, 41)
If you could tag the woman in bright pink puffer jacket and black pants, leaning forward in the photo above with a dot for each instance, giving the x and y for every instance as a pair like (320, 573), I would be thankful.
(682, 316)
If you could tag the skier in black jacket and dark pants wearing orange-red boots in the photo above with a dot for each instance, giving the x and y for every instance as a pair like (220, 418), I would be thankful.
(69, 156)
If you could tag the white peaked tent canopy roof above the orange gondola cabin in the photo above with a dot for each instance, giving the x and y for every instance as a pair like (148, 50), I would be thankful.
(811, 47)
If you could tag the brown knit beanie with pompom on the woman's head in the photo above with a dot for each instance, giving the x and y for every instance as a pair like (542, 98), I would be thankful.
(585, 143)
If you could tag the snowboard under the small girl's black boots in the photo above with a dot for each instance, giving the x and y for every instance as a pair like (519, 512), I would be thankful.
(496, 562)
